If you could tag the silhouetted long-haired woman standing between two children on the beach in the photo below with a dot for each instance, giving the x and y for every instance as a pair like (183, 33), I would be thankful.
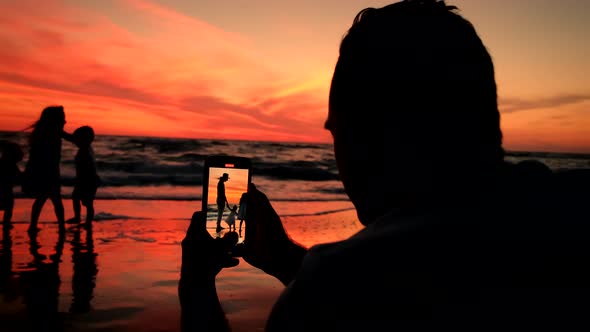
(42, 178)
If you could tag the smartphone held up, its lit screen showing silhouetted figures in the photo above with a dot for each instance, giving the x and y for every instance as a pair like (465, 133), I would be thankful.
(225, 180)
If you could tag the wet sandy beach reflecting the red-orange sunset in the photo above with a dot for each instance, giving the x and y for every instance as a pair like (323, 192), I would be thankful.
(123, 276)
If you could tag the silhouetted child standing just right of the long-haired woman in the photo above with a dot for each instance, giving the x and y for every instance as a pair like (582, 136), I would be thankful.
(87, 179)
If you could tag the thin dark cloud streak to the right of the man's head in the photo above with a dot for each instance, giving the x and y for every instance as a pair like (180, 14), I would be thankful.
(511, 105)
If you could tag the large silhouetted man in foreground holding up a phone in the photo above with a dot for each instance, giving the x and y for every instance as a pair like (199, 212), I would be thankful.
(451, 239)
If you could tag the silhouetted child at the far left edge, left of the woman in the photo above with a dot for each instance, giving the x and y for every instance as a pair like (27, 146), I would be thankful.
(10, 175)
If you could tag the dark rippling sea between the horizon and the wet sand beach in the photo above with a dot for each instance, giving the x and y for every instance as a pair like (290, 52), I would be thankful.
(156, 168)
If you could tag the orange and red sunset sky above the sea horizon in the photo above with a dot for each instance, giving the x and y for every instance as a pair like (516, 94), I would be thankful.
(261, 69)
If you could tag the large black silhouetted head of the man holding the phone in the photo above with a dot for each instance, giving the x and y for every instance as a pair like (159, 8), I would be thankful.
(413, 96)
